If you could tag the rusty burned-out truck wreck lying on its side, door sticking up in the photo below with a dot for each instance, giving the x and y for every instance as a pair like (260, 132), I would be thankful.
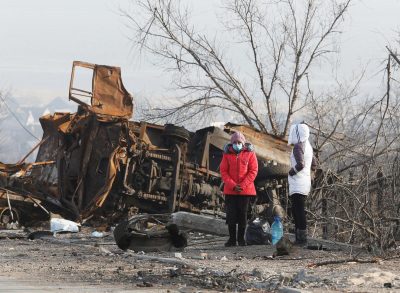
(98, 162)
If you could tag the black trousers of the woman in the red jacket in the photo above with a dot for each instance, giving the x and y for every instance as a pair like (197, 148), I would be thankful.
(236, 209)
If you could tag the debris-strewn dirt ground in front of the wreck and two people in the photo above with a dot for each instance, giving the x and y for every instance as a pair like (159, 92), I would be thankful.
(82, 263)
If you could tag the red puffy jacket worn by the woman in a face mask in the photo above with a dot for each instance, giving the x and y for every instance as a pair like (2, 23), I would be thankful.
(239, 169)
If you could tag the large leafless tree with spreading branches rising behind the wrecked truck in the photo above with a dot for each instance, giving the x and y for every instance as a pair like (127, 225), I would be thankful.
(280, 41)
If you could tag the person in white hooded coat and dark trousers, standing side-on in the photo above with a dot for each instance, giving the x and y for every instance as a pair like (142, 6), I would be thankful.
(302, 163)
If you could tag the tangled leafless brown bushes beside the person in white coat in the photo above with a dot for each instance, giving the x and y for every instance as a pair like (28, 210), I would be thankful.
(357, 195)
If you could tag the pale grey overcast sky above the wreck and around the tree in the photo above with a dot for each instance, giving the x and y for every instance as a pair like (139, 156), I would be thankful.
(40, 39)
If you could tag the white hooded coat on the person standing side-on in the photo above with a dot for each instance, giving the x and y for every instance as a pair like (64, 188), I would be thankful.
(301, 181)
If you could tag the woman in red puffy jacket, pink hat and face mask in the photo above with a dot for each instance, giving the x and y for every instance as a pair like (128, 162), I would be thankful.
(239, 168)
